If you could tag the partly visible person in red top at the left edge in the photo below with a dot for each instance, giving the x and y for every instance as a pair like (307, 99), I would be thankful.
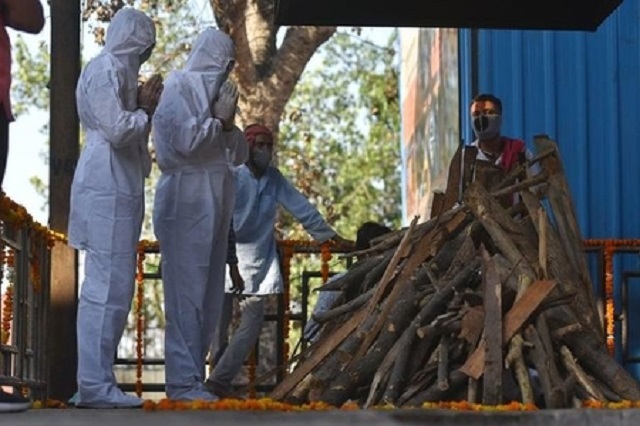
(21, 15)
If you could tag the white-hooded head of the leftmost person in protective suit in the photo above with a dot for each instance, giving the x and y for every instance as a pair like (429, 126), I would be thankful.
(131, 36)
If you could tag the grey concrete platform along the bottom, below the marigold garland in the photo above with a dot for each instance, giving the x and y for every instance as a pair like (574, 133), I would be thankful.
(73, 417)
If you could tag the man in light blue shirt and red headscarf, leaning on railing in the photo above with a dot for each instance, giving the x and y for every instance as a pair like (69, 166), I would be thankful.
(260, 188)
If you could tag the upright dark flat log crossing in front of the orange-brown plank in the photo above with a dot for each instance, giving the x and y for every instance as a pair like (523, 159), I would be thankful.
(492, 385)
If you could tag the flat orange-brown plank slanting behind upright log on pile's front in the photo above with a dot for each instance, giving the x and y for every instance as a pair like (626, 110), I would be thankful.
(515, 318)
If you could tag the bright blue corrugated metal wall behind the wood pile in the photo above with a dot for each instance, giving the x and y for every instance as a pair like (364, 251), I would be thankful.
(582, 89)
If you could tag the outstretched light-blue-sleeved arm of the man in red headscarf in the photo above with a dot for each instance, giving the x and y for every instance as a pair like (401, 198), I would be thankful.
(304, 212)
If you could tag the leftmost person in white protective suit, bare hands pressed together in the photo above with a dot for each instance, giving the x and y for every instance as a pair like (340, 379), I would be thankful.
(107, 198)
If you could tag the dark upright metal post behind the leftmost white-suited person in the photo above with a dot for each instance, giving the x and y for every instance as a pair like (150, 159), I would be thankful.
(64, 152)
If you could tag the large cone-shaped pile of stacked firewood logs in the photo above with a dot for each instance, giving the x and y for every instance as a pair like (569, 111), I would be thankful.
(483, 303)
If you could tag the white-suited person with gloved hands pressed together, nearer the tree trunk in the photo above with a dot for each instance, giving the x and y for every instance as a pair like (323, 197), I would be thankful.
(196, 144)
